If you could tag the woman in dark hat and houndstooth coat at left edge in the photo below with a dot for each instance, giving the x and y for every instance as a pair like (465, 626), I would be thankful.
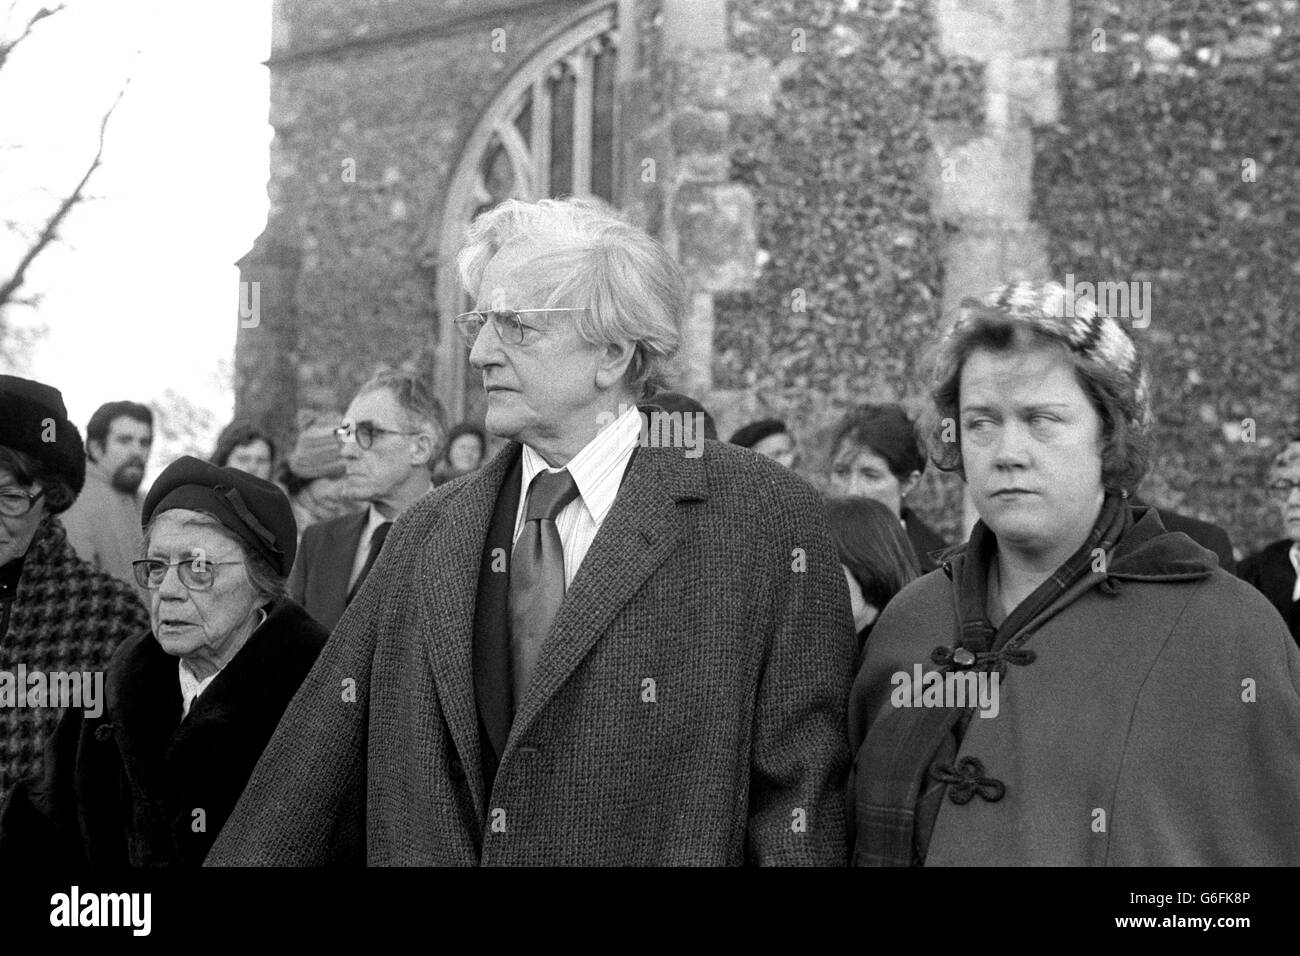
(58, 615)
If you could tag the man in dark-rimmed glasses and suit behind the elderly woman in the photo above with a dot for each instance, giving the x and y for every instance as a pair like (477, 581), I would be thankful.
(392, 431)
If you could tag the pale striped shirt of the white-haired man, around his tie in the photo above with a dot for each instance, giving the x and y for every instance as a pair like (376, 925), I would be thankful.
(597, 471)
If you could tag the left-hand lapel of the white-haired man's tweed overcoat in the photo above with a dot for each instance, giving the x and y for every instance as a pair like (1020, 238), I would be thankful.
(448, 590)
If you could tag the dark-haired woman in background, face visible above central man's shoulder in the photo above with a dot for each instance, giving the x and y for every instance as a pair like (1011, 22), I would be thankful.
(876, 455)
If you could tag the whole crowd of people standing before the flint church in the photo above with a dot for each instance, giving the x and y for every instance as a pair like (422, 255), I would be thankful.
(392, 647)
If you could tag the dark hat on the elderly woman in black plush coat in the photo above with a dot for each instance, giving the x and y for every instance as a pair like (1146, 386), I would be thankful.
(253, 511)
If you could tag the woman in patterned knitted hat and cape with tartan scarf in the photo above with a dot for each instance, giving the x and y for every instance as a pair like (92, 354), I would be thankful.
(1142, 704)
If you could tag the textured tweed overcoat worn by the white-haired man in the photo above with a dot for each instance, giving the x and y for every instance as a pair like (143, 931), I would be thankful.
(688, 708)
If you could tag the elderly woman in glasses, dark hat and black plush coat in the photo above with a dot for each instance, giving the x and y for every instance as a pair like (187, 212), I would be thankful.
(151, 780)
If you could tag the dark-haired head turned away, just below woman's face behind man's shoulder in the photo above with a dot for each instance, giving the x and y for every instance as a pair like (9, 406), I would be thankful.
(877, 557)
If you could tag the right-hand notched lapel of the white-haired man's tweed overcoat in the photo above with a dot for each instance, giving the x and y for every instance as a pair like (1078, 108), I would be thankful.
(640, 533)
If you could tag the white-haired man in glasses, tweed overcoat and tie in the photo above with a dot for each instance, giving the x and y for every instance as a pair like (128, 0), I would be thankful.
(603, 647)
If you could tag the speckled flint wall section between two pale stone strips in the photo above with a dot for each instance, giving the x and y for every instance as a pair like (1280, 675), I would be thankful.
(847, 297)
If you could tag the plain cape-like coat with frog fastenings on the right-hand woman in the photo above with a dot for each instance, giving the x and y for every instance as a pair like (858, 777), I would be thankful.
(1156, 723)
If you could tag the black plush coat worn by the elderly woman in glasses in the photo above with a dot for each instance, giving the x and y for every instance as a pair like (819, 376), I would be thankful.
(140, 785)
